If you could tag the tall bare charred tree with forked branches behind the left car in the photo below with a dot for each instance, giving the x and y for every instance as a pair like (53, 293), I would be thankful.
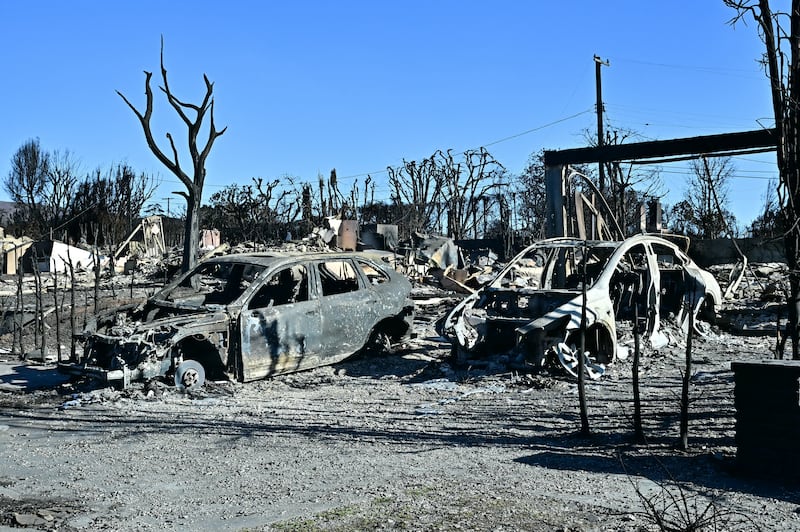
(193, 184)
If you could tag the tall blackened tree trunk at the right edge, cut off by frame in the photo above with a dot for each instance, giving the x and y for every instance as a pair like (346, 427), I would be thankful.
(782, 63)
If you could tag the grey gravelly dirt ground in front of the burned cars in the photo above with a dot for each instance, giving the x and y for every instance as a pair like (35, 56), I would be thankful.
(399, 442)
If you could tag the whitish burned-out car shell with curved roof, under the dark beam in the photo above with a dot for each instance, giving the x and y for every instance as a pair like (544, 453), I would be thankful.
(533, 307)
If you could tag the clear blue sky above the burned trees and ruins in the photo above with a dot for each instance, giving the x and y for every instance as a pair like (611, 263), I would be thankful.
(307, 86)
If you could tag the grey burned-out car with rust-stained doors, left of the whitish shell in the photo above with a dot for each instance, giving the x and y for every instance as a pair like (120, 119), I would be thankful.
(251, 316)
